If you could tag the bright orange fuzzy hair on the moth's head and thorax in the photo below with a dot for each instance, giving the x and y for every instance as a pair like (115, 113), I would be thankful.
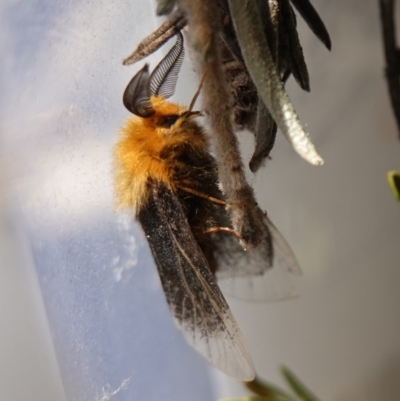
(148, 151)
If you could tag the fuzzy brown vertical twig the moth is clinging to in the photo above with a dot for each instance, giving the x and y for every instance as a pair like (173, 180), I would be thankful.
(204, 30)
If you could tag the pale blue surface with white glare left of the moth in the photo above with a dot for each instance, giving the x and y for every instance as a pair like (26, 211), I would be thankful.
(63, 81)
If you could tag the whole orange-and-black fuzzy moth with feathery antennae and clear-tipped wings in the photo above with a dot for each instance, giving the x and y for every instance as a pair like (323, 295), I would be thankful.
(165, 173)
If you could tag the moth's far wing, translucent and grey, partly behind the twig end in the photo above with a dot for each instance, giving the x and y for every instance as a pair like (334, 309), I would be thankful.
(260, 274)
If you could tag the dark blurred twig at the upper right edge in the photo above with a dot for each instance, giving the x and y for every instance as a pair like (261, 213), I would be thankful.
(392, 70)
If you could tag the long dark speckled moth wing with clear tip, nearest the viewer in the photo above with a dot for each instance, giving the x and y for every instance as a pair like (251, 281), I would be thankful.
(196, 302)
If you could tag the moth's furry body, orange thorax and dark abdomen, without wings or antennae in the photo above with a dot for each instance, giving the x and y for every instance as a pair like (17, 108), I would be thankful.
(178, 157)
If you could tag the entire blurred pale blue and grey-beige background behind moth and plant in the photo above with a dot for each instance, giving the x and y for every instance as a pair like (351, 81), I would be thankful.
(71, 270)
